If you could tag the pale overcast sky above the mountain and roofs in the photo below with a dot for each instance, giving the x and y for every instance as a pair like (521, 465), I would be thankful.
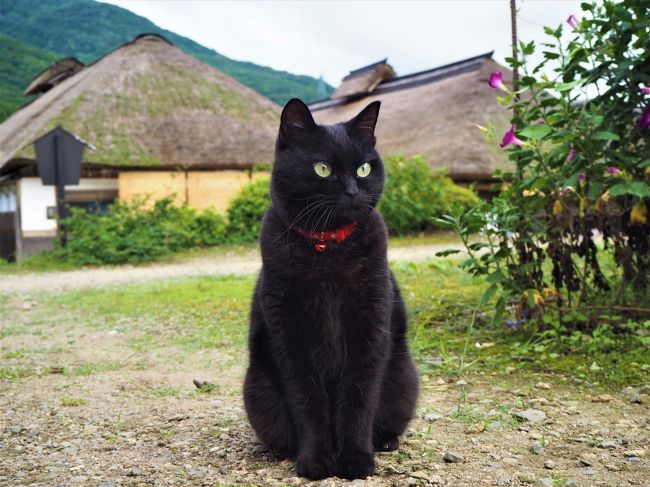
(333, 37)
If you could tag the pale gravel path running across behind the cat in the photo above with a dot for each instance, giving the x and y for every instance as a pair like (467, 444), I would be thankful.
(102, 276)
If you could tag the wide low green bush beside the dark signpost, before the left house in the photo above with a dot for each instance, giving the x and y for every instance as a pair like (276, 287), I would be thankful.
(130, 232)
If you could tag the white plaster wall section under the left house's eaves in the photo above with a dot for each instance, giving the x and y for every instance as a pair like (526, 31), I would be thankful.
(34, 200)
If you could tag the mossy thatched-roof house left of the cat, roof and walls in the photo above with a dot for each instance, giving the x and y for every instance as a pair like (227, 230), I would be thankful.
(164, 124)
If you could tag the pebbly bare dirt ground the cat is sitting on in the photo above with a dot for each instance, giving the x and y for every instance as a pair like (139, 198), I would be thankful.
(141, 421)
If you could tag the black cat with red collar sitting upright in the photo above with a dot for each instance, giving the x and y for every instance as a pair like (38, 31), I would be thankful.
(331, 378)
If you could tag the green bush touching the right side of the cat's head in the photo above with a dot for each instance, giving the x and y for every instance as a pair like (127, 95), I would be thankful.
(414, 195)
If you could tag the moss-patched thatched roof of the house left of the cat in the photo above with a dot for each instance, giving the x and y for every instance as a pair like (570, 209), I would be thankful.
(149, 104)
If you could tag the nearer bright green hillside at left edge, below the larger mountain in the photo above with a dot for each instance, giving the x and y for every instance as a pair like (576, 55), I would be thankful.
(18, 65)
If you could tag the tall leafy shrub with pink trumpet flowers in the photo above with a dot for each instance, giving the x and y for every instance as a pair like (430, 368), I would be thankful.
(570, 232)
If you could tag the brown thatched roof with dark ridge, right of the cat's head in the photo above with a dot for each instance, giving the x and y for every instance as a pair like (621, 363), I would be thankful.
(433, 114)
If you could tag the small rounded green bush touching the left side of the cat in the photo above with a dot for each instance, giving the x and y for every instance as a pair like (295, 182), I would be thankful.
(246, 211)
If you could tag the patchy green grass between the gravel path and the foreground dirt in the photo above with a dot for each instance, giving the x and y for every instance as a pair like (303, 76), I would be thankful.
(201, 314)
